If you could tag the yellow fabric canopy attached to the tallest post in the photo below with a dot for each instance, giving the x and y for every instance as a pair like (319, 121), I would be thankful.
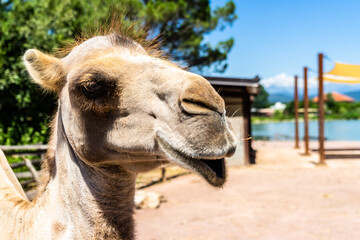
(343, 73)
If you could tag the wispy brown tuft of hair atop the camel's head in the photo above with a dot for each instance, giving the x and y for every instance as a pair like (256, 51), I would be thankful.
(120, 31)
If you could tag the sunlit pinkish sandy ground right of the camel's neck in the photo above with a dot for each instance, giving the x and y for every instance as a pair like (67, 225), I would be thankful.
(285, 196)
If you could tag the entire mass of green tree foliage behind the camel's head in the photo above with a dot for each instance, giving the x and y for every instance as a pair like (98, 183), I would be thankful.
(47, 24)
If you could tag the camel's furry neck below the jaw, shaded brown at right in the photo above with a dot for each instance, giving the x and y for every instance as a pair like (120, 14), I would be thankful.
(96, 202)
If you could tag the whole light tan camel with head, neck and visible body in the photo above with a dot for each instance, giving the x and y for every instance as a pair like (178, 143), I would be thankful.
(122, 109)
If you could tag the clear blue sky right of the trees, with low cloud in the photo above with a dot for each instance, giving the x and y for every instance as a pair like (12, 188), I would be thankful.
(275, 39)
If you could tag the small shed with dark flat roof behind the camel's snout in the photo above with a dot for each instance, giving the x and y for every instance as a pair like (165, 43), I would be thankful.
(239, 94)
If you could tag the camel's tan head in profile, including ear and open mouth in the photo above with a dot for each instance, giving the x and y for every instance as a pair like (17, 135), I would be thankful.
(119, 105)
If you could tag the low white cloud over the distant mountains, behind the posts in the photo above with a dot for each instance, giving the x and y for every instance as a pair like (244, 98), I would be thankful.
(283, 80)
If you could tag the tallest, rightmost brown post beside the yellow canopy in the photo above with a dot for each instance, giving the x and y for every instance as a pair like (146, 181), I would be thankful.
(321, 113)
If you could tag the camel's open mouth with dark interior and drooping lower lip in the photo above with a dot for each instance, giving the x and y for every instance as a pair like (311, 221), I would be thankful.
(212, 170)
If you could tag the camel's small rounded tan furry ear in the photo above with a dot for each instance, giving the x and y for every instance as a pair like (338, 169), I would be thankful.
(47, 71)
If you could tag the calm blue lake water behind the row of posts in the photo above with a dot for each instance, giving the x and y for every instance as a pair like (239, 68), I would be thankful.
(334, 130)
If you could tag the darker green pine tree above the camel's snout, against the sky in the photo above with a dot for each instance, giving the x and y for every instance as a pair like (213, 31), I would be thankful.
(183, 25)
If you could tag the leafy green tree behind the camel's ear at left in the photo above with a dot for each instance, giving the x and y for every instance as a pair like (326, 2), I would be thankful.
(32, 24)
